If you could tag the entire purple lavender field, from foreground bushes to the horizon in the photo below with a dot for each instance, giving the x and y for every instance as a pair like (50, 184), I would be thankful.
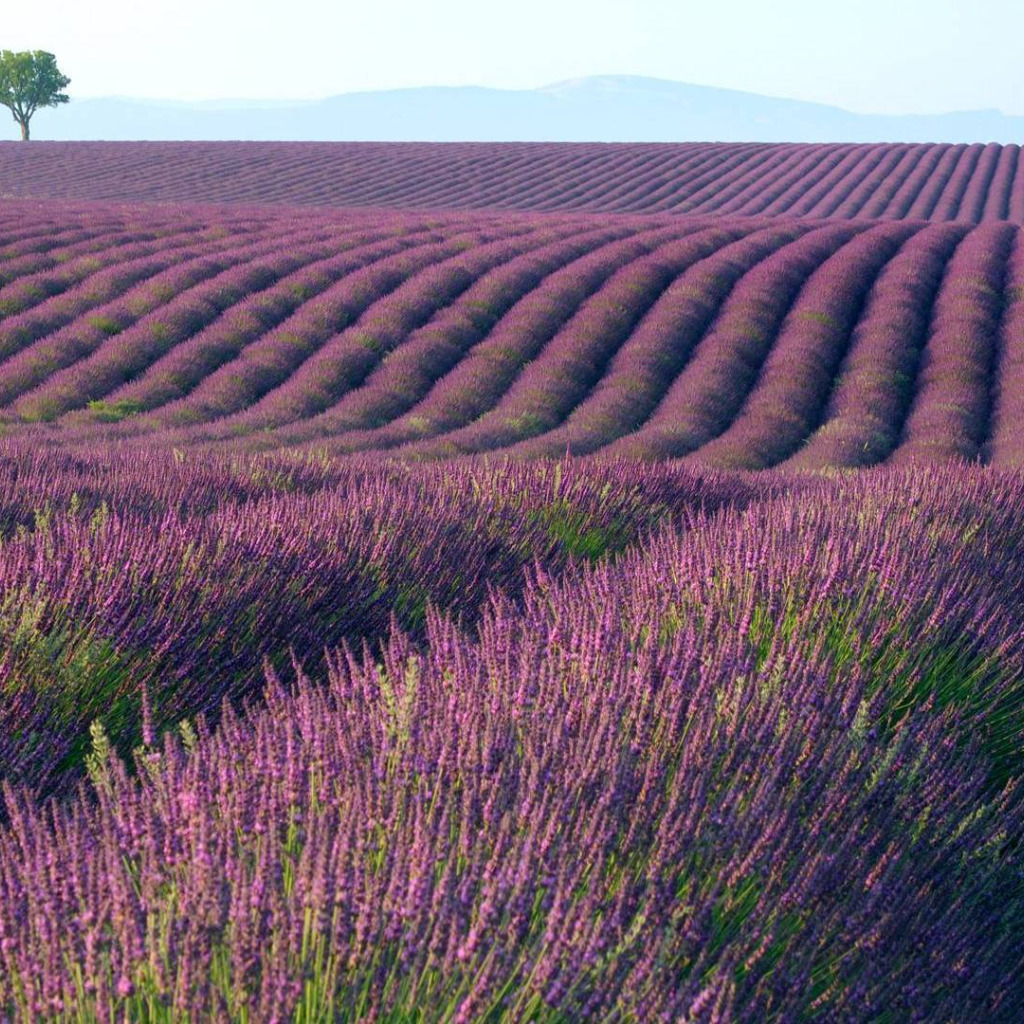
(589, 595)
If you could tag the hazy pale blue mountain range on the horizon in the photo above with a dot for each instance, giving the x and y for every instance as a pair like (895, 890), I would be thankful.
(614, 109)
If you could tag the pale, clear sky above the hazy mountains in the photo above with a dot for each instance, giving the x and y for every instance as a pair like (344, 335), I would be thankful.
(884, 57)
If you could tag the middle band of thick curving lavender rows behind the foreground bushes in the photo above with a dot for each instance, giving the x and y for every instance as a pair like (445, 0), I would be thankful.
(731, 343)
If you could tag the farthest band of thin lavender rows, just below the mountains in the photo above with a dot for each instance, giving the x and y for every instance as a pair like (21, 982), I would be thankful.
(969, 184)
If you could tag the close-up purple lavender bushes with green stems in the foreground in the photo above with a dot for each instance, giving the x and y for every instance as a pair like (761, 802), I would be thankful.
(313, 741)
